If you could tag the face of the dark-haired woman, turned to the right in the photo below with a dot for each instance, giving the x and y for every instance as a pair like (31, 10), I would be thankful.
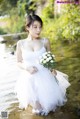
(35, 29)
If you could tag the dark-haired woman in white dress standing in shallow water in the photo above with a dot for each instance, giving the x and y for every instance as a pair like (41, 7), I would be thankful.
(36, 85)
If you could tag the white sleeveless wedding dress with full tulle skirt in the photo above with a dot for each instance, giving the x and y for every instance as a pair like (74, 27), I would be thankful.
(41, 86)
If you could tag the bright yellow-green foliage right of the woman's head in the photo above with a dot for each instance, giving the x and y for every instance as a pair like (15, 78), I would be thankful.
(66, 27)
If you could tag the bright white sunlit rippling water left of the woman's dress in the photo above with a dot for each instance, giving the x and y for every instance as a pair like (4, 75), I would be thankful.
(7, 96)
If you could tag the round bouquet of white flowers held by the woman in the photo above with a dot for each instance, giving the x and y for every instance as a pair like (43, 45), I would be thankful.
(48, 60)
